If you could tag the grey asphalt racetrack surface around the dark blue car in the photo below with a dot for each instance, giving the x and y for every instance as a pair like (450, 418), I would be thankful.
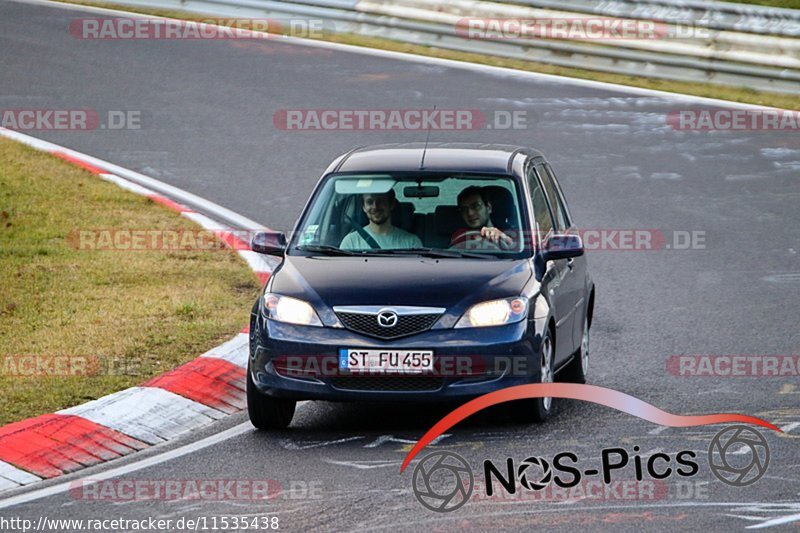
(207, 112)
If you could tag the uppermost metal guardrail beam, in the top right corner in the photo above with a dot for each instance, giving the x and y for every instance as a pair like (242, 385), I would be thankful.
(716, 15)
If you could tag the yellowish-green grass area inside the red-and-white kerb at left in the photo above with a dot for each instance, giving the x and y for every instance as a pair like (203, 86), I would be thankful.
(129, 314)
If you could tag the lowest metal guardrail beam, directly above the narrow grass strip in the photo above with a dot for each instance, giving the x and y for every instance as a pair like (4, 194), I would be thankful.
(562, 53)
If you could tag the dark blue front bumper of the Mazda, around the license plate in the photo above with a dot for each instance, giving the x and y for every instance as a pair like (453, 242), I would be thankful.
(468, 362)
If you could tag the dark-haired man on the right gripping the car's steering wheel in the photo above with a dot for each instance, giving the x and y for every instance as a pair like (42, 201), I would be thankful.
(476, 211)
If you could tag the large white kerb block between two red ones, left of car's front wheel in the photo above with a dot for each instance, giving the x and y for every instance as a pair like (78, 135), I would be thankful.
(149, 414)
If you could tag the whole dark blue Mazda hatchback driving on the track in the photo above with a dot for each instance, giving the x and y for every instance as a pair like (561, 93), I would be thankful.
(422, 273)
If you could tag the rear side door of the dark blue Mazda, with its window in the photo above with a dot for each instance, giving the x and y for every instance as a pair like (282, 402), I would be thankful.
(574, 282)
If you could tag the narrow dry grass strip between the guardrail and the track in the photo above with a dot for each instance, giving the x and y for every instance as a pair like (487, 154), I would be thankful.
(735, 94)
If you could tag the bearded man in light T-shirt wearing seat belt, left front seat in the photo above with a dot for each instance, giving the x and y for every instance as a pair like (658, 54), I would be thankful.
(378, 208)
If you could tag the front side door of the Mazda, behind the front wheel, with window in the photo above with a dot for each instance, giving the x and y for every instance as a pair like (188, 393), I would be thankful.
(553, 281)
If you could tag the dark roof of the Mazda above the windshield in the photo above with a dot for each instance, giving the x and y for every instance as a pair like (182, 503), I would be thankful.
(439, 157)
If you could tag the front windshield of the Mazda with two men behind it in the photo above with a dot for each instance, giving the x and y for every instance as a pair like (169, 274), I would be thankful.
(437, 215)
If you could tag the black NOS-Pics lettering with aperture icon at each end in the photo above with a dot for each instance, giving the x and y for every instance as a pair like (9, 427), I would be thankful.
(443, 481)
